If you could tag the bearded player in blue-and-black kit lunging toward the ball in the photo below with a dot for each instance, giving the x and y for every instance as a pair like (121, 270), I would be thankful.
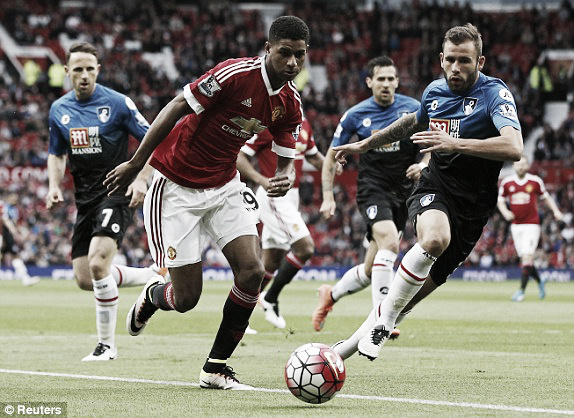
(469, 122)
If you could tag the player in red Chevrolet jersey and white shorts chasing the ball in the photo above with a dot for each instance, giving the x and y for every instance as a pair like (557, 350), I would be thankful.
(197, 191)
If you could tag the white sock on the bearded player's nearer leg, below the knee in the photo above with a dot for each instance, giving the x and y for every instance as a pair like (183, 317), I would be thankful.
(410, 276)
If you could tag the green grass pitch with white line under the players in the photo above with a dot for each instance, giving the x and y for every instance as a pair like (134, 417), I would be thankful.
(466, 351)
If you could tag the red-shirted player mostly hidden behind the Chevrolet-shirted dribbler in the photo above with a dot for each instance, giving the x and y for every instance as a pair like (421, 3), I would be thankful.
(286, 241)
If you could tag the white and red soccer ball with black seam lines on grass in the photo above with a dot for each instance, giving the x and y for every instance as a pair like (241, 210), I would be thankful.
(315, 373)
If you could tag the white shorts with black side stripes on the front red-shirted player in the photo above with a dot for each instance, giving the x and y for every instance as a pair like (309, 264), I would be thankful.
(178, 219)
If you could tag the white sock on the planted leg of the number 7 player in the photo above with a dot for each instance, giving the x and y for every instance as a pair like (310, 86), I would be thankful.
(106, 294)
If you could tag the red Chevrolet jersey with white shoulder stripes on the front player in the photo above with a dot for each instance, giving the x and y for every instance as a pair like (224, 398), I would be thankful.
(231, 102)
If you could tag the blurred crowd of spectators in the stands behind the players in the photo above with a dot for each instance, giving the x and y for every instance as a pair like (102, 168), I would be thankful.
(150, 49)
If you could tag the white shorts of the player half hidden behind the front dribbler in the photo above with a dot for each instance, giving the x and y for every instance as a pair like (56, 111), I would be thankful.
(283, 224)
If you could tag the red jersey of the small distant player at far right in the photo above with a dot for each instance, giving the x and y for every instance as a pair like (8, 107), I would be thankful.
(522, 196)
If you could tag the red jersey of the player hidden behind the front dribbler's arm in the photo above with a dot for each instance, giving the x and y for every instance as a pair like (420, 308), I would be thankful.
(261, 146)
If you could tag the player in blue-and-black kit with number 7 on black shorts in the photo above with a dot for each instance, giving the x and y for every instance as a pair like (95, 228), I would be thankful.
(90, 124)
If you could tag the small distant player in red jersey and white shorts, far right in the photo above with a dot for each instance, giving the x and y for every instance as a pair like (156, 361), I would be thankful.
(518, 202)
